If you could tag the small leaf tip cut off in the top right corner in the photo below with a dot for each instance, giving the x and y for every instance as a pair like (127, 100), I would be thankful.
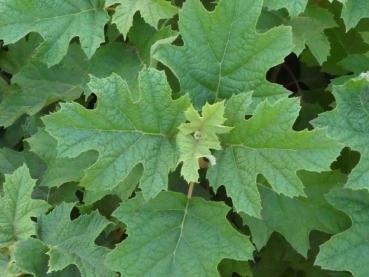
(353, 11)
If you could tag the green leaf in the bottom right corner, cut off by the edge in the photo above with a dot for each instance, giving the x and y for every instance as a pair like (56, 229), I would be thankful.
(348, 250)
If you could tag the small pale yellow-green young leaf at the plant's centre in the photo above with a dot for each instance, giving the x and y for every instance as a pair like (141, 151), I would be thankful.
(198, 136)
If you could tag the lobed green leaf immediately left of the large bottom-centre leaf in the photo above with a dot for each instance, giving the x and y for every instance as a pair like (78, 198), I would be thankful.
(72, 242)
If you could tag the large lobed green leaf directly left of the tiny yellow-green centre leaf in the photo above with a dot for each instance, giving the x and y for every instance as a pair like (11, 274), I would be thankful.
(123, 131)
